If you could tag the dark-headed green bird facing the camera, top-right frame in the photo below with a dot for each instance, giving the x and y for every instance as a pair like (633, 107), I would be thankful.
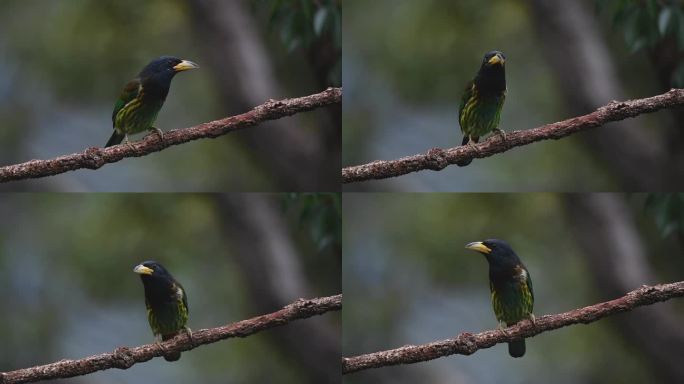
(482, 101)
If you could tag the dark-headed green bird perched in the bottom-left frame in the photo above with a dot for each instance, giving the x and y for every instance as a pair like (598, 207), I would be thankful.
(166, 302)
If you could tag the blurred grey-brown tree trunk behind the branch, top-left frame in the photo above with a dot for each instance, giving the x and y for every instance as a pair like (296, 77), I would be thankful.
(240, 61)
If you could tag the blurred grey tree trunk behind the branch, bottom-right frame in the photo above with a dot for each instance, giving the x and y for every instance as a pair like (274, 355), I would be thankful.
(621, 262)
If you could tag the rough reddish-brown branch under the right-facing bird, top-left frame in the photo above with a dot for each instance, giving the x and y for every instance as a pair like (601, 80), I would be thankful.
(94, 158)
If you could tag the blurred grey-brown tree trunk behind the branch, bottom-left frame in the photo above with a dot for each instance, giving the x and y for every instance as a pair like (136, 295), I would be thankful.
(265, 252)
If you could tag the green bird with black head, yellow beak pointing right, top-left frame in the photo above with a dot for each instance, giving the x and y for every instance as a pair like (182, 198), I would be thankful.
(137, 107)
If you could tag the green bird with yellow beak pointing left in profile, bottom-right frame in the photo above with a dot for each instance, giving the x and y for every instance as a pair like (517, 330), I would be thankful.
(511, 287)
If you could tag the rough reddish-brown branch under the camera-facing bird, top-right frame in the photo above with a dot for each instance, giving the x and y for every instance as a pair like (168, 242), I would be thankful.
(437, 159)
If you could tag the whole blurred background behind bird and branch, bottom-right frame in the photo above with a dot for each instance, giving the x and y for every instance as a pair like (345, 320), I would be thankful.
(407, 279)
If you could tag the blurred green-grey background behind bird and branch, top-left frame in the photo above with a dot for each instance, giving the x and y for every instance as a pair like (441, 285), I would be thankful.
(63, 64)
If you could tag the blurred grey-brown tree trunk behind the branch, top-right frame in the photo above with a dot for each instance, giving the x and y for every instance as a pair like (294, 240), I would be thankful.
(572, 41)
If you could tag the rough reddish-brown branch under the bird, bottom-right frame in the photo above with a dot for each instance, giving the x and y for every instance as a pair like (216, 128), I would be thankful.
(468, 343)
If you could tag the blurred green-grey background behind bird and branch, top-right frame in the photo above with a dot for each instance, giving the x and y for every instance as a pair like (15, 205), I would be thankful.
(406, 64)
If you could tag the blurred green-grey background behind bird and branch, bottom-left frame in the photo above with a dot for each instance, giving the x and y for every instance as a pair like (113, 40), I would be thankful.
(69, 291)
